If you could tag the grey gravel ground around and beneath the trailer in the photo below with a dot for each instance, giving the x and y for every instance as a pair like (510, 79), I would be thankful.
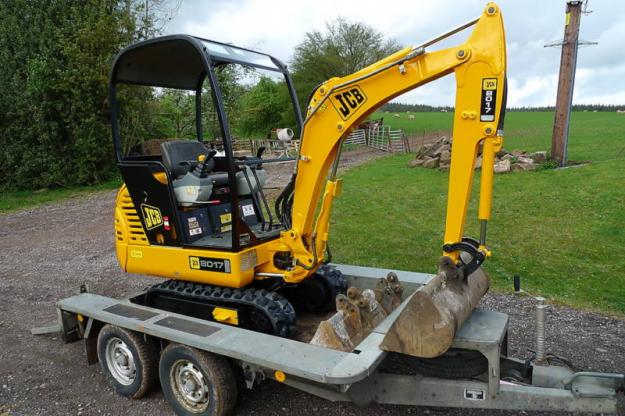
(47, 252)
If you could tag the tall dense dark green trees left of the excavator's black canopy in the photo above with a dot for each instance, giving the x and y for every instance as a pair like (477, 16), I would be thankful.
(55, 58)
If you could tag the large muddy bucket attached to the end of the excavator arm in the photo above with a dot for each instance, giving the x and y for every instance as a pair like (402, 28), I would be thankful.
(428, 321)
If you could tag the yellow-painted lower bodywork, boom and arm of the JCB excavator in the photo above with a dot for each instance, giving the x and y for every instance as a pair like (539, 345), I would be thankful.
(481, 66)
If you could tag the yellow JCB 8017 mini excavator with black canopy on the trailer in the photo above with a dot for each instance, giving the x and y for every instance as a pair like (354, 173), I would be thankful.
(195, 213)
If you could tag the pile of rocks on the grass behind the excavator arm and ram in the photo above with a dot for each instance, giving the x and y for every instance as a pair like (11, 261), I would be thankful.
(438, 155)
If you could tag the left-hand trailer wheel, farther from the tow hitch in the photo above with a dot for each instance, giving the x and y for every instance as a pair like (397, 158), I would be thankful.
(127, 360)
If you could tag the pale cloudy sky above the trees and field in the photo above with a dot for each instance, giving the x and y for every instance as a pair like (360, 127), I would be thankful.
(276, 26)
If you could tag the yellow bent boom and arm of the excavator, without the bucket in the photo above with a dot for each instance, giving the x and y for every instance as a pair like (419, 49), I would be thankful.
(339, 104)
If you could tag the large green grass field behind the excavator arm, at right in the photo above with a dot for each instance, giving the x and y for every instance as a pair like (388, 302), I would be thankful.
(561, 230)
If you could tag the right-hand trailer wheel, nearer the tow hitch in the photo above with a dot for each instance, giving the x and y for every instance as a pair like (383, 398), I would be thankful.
(197, 383)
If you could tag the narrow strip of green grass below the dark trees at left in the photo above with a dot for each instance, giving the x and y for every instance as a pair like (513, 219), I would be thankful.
(11, 201)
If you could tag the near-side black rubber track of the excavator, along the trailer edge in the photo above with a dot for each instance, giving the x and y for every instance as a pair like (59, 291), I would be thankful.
(257, 309)
